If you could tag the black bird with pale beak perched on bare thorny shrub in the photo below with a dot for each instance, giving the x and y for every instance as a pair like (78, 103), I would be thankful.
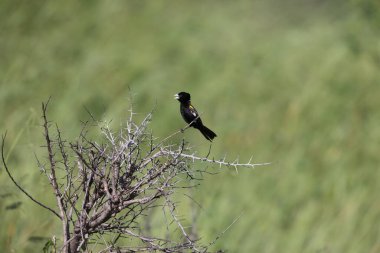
(191, 116)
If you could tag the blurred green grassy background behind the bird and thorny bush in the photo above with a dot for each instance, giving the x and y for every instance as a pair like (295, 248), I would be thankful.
(296, 83)
